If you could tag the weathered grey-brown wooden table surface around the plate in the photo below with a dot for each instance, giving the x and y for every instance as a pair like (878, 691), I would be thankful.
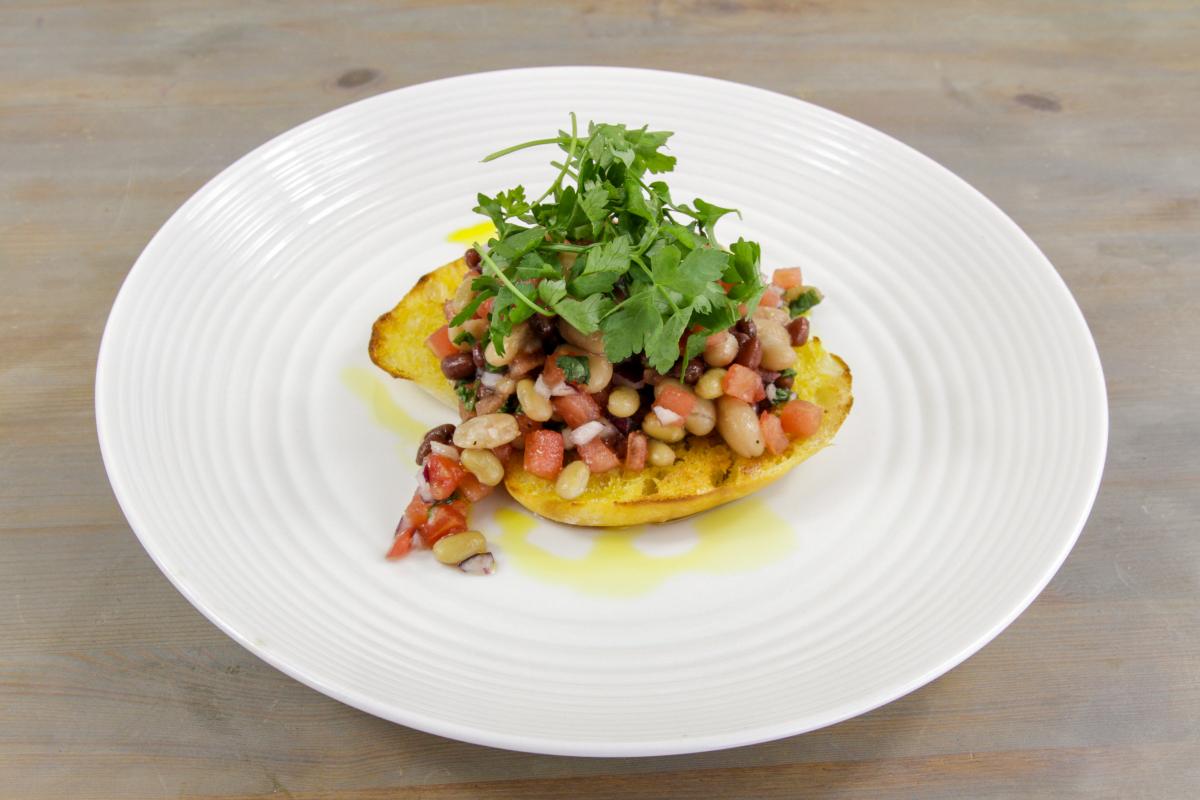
(1081, 119)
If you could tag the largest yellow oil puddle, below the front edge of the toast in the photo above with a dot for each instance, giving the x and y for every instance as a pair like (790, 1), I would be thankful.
(736, 538)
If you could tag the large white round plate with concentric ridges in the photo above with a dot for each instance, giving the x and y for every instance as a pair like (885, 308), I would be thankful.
(262, 461)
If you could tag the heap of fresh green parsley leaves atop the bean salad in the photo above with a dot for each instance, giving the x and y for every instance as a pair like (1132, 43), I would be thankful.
(647, 272)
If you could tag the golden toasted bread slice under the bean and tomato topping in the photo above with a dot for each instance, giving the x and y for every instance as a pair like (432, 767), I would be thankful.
(706, 472)
